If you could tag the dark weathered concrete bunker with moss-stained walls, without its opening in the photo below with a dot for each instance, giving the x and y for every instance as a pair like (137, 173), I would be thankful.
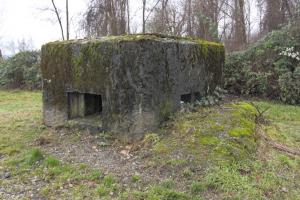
(140, 78)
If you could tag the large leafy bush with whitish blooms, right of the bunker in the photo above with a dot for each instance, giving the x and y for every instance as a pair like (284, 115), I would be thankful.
(270, 68)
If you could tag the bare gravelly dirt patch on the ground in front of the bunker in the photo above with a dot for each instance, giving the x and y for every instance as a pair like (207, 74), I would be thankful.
(95, 152)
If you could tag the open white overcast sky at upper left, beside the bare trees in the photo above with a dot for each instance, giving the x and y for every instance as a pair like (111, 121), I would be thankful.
(27, 19)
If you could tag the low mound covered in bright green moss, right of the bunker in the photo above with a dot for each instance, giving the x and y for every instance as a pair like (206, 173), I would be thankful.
(225, 133)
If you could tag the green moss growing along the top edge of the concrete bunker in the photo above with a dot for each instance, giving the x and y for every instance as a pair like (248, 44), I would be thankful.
(90, 51)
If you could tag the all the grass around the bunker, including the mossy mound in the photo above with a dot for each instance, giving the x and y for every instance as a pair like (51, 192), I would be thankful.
(210, 154)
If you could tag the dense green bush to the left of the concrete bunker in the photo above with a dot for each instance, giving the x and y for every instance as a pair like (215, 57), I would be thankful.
(21, 71)
